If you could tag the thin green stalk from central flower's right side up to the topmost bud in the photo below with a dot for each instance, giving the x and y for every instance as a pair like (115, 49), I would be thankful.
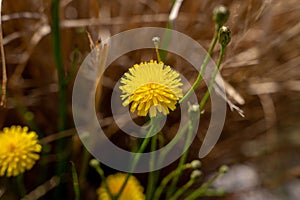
(203, 67)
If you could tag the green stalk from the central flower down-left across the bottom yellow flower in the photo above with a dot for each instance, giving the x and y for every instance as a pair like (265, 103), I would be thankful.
(137, 157)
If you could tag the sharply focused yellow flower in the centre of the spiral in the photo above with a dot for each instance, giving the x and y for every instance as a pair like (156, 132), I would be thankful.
(151, 87)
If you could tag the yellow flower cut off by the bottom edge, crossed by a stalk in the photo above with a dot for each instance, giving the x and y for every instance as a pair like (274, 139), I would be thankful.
(132, 191)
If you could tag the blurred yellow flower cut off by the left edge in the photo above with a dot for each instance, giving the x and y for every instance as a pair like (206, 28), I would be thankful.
(18, 150)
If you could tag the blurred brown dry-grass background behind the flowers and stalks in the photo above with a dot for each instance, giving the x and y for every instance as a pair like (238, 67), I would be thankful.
(261, 65)
